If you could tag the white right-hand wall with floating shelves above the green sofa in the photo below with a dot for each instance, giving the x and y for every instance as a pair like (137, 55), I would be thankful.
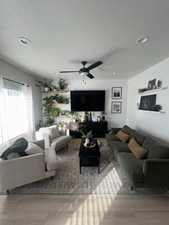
(154, 123)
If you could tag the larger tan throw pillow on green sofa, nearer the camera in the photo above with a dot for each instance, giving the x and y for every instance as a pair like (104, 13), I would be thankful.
(138, 151)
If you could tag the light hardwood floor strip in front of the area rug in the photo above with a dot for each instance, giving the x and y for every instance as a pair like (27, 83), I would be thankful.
(83, 210)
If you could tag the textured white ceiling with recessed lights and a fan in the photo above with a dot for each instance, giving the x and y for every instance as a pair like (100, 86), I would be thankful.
(65, 32)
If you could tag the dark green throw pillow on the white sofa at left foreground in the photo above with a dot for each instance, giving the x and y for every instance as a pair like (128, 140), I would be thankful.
(18, 146)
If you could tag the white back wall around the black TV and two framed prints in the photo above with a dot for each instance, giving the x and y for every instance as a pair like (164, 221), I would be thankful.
(115, 120)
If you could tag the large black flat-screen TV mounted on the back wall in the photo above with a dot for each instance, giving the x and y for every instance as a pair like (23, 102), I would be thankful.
(87, 101)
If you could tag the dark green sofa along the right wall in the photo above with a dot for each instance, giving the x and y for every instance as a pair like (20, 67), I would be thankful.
(151, 171)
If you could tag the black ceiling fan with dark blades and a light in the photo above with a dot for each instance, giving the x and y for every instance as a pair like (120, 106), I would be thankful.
(85, 70)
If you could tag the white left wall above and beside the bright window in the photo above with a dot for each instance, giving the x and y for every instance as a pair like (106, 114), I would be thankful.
(13, 73)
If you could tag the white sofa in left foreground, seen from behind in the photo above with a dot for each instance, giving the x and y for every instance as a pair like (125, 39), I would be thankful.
(27, 169)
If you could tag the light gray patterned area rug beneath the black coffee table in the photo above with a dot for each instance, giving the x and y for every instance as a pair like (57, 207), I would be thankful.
(68, 180)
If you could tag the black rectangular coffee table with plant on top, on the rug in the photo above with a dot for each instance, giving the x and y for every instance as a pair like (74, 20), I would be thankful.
(89, 157)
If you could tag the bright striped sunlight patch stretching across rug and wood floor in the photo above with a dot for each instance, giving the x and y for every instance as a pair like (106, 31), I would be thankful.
(93, 210)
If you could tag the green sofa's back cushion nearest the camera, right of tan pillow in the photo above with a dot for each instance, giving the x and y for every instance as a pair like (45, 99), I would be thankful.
(155, 149)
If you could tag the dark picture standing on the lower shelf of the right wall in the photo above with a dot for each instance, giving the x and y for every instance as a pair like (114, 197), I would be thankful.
(147, 102)
